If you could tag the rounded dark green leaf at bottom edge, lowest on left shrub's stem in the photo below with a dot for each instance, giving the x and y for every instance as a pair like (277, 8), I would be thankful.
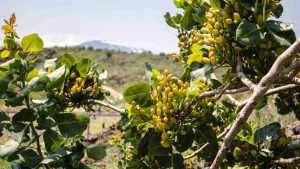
(30, 158)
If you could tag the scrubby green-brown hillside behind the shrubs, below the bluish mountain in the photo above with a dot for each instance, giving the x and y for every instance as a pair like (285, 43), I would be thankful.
(123, 68)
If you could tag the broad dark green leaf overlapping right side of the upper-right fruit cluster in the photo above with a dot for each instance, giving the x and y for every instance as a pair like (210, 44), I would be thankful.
(249, 33)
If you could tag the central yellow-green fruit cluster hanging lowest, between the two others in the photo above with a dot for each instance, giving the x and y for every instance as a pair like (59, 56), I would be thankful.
(167, 96)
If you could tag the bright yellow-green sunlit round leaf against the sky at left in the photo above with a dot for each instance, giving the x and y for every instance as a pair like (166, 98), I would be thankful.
(32, 43)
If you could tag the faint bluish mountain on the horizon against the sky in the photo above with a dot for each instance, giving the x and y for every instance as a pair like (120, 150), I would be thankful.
(97, 44)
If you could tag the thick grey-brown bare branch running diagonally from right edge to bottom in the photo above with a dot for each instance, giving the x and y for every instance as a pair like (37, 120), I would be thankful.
(259, 91)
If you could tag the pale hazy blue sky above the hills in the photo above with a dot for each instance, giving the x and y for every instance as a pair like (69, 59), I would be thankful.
(136, 23)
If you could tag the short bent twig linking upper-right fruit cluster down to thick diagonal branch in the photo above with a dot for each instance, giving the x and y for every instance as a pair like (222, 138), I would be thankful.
(241, 75)
